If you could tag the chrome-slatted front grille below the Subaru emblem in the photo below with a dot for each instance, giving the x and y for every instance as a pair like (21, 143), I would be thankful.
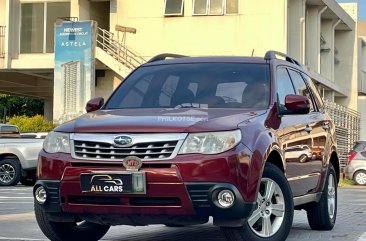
(99, 150)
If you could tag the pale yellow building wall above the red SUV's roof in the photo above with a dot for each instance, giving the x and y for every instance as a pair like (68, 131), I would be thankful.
(260, 28)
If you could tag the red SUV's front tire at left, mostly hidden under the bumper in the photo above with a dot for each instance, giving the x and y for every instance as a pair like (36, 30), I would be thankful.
(62, 231)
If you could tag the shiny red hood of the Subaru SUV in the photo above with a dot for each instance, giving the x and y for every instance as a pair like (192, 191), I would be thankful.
(159, 120)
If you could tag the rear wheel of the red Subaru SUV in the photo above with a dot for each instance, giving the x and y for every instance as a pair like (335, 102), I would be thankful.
(322, 215)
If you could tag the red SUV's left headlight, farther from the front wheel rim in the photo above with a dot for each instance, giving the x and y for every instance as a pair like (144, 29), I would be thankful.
(57, 142)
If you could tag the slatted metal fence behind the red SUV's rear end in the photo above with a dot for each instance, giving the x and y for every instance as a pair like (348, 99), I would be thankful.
(347, 126)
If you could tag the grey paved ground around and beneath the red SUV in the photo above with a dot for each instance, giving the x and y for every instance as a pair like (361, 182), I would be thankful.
(17, 222)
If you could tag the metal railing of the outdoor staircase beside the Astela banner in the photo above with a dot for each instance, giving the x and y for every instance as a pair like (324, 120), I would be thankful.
(107, 42)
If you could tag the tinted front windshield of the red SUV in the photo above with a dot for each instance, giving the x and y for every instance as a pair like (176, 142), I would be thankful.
(210, 85)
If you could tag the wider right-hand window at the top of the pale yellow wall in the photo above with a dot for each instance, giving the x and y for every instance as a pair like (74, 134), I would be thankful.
(215, 7)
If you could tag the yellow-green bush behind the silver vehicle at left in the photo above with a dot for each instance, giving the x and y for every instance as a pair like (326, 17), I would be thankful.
(31, 124)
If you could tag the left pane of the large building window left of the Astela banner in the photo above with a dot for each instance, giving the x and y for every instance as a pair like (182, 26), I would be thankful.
(32, 28)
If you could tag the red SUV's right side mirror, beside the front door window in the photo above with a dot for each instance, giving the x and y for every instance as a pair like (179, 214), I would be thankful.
(295, 105)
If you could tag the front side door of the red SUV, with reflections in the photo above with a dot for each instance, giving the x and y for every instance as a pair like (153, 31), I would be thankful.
(294, 136)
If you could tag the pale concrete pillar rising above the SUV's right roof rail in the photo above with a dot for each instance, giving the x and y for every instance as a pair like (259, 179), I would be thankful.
(296, 30)
